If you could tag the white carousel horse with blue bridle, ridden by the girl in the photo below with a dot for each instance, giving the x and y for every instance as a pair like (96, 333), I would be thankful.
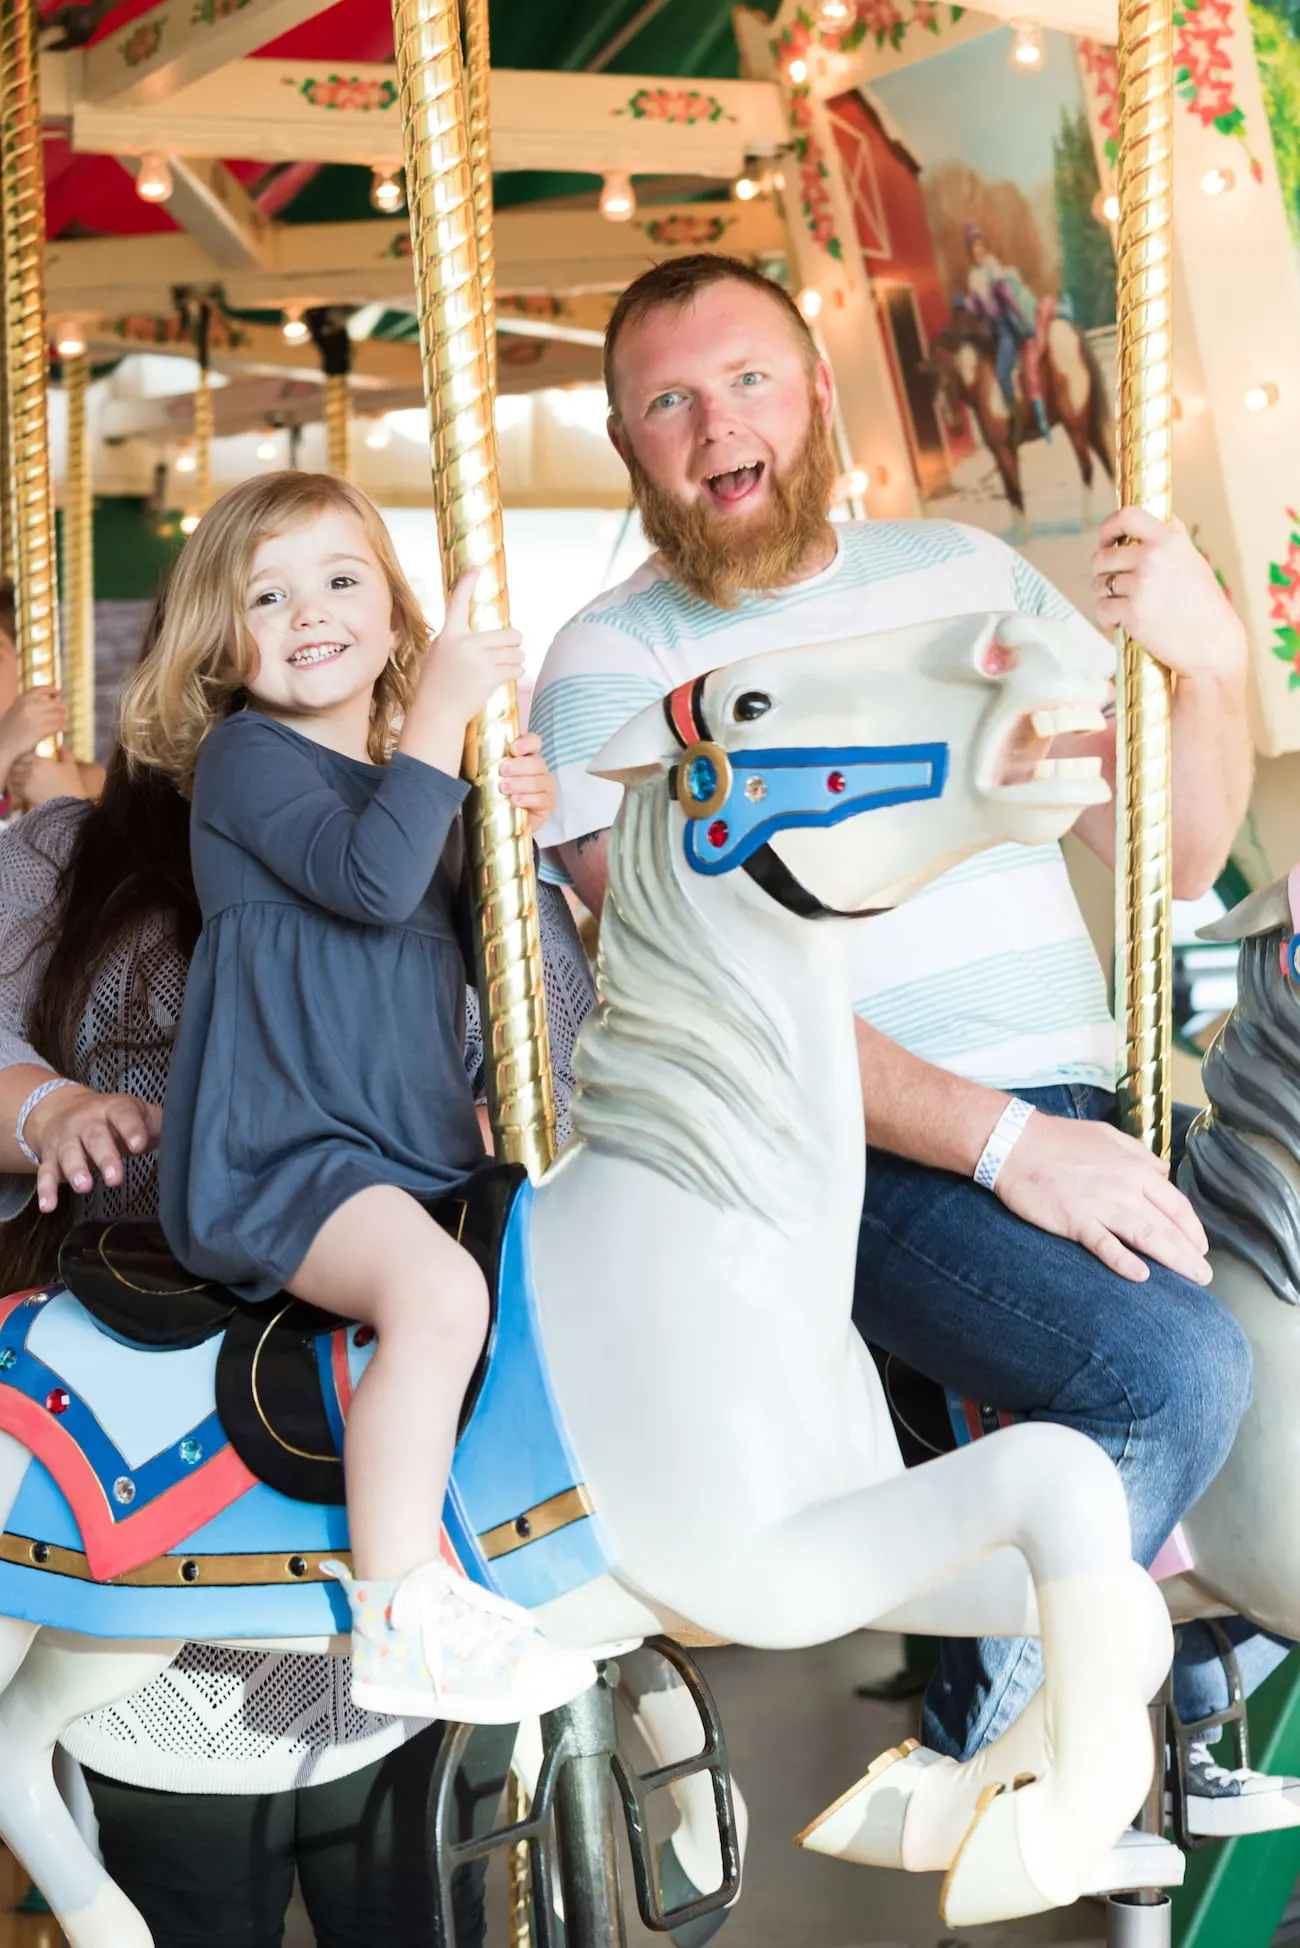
(677, 1400)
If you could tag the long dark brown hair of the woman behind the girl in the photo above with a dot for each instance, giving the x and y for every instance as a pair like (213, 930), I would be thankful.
(130, 864)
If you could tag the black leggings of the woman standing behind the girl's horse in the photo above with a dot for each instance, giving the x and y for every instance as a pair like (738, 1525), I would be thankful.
(217, 1871)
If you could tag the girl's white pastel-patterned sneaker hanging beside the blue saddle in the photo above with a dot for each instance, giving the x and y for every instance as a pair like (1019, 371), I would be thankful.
(441, 1647)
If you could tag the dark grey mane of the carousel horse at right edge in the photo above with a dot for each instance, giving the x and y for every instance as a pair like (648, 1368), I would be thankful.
(1252, 1078)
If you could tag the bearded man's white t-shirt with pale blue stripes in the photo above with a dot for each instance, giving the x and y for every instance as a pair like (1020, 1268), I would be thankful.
(989, 973)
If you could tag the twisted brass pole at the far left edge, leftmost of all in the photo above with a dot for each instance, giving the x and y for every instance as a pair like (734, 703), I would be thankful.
(22, 219)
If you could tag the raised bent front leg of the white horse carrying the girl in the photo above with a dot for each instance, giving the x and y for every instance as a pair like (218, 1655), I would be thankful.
(888, 1552)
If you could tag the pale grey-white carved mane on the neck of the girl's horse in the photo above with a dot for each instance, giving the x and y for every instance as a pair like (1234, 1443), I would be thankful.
(689, 1068)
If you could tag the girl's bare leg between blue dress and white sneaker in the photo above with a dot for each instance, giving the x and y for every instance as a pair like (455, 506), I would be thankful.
(385, 1261)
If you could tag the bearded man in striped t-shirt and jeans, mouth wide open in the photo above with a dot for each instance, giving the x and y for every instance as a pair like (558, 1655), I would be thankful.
(1075, 1289)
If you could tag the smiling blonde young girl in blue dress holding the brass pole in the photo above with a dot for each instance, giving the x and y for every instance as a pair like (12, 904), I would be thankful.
(317, 1088)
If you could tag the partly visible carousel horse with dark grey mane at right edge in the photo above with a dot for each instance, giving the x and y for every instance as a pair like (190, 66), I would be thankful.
(1243, 1174)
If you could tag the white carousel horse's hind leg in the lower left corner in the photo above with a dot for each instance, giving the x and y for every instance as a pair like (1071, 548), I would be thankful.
(59, 1682)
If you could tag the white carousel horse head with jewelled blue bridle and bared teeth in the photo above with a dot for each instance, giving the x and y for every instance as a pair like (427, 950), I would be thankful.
(942, 731)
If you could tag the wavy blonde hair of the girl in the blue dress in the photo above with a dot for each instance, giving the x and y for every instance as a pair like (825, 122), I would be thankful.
(206, 654)
